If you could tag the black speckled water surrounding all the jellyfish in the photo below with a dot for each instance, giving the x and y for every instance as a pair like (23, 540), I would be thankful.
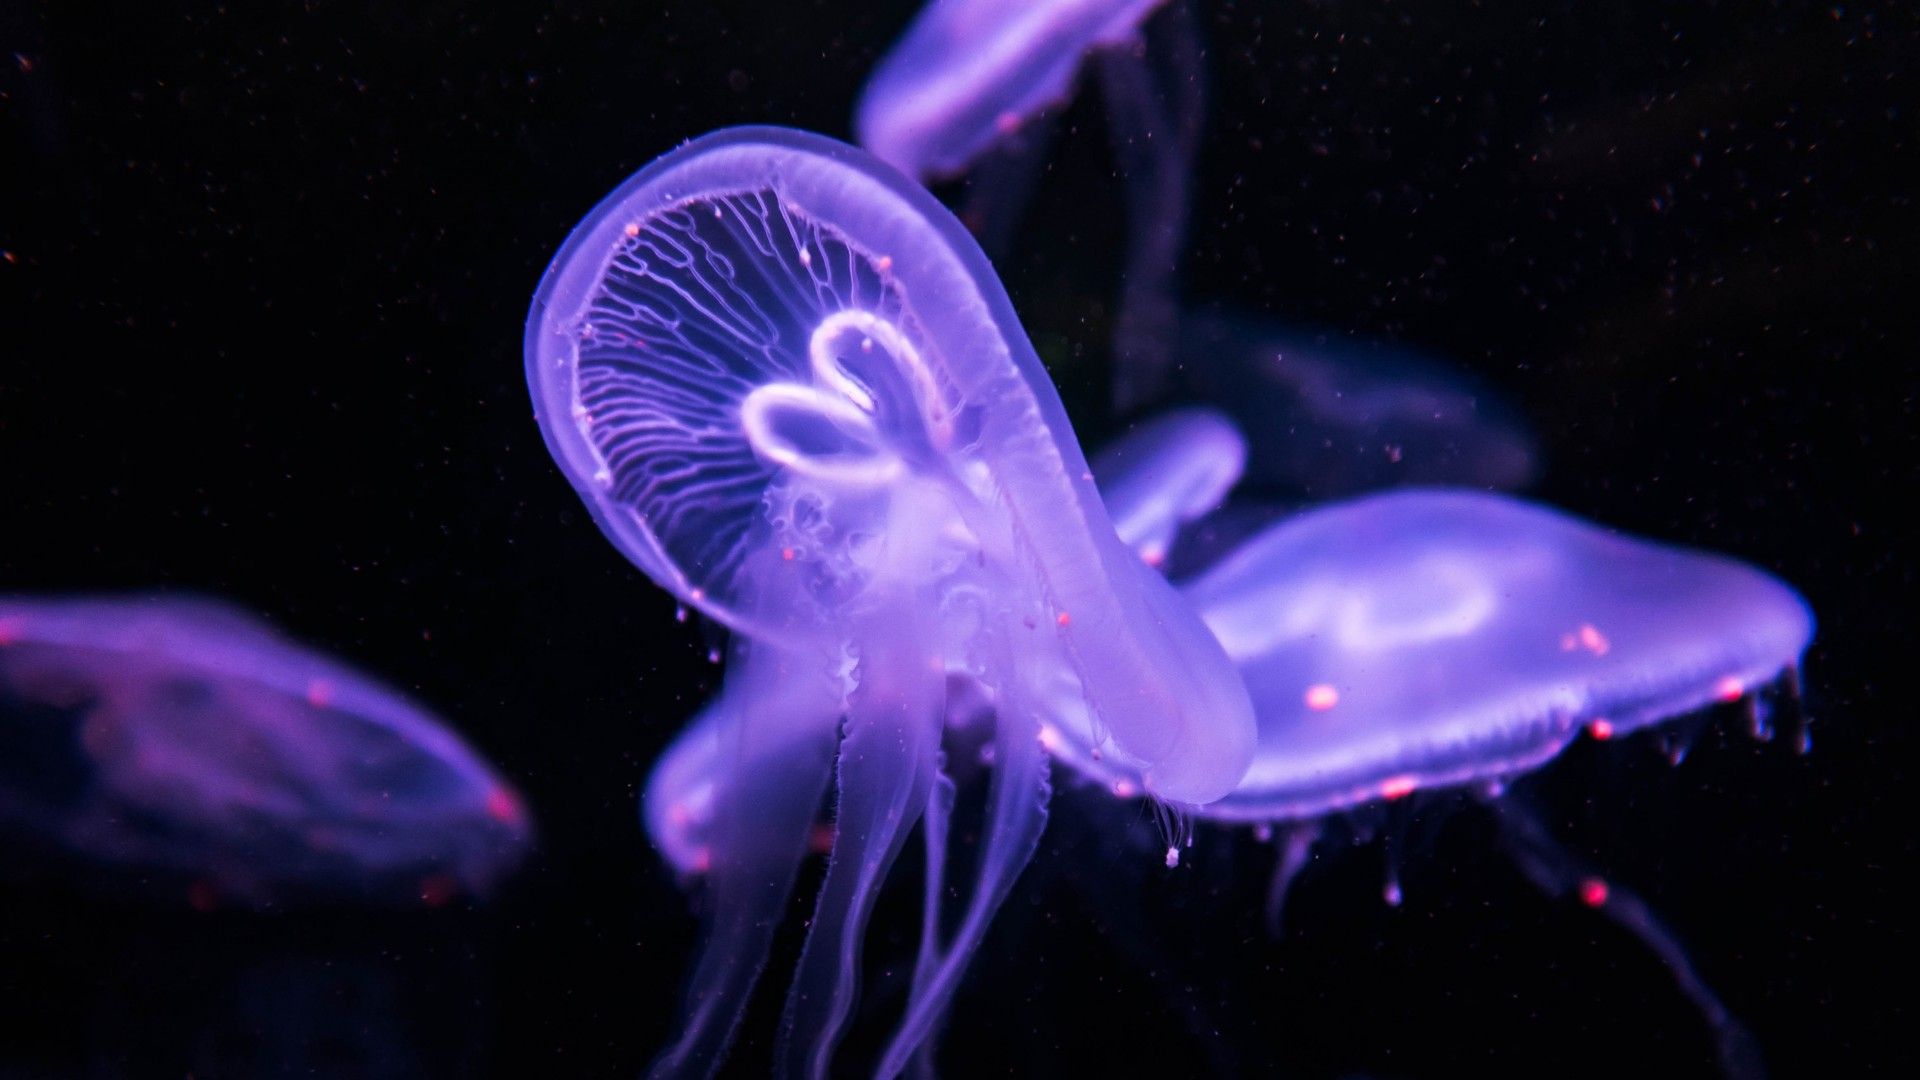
(264, 287)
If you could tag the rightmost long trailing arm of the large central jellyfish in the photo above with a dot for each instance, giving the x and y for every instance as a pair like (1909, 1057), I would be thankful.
(1017, 820)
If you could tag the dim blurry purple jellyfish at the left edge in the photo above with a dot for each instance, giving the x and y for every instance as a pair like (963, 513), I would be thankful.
(197, 749)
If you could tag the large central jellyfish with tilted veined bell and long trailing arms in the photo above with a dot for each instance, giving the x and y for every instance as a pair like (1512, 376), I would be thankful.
(792, 391)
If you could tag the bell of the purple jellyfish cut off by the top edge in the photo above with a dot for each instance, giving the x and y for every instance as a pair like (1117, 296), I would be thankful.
(969, 72)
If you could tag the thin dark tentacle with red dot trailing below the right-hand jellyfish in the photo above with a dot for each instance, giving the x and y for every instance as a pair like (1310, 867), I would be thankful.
(1558, 871)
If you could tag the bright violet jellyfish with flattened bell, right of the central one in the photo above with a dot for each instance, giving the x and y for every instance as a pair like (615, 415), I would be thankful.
(1429, 639)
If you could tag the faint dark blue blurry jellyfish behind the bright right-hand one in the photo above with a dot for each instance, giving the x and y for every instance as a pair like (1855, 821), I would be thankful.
(1330, 418)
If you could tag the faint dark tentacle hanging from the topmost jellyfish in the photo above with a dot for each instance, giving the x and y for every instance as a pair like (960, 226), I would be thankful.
(1155, 99)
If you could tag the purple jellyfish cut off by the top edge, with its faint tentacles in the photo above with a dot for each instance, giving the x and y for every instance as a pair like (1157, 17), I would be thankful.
(971, 86)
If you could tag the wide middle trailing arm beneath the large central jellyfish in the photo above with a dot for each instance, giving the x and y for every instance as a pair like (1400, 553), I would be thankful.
(888, 758)
